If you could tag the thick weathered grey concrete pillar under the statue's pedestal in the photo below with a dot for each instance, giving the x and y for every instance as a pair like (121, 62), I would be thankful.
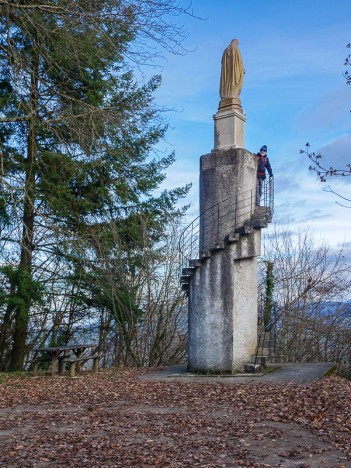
(223, 291)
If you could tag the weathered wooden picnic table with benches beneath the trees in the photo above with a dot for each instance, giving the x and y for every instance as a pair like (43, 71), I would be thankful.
(58, 354)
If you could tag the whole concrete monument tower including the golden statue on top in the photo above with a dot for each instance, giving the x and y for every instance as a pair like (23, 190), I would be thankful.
(222, 277)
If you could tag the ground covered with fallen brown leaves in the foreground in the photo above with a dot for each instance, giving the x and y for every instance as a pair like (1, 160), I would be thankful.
(126, 419)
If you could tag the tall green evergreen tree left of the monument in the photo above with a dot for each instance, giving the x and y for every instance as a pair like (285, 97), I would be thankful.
(76, 133)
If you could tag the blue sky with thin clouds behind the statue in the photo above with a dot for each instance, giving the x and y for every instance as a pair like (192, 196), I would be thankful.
(293, 92)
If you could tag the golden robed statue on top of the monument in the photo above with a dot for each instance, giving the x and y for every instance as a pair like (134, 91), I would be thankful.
(232, 74)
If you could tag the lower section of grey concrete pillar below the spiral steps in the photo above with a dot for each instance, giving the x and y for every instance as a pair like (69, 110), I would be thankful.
(223, 308)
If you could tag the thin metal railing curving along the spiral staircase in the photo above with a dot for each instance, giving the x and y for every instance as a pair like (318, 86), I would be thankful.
(210, 229)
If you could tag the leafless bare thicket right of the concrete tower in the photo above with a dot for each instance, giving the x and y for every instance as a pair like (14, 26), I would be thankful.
(312, 287)
